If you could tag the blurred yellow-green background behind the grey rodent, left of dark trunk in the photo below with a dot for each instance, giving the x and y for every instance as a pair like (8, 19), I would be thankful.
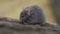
(12, 8)
